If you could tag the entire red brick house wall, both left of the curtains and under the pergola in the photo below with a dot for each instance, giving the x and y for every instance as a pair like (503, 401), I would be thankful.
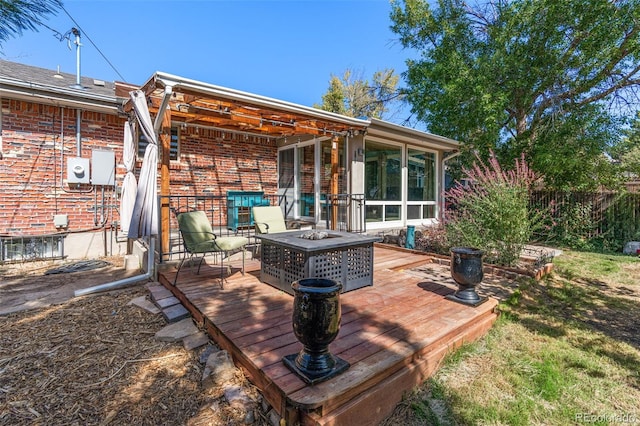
(32, 190)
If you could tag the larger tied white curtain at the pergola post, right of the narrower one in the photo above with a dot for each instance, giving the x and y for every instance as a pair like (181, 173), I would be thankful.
(144, 219)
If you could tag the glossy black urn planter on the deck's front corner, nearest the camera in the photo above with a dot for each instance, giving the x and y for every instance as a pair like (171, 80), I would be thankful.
(316, 323)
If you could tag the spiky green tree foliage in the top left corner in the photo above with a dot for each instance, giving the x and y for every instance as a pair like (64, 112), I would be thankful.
(17, 16)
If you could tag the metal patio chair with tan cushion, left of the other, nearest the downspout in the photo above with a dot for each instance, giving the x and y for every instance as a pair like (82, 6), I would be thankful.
(198, 239)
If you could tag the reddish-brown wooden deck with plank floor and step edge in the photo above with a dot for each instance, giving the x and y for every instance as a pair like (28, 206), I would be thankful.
(394, 334)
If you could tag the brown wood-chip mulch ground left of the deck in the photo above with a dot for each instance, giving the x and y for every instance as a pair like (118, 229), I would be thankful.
(95, 360)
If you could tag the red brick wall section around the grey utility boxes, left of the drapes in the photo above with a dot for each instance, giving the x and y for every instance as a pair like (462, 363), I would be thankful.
(32, 184)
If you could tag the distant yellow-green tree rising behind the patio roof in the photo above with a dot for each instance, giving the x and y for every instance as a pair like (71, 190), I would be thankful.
(354, 96)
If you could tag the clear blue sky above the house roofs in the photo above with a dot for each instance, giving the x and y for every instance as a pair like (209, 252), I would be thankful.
(276, 48)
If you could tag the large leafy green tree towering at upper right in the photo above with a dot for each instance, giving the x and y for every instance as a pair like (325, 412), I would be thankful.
(539, 77)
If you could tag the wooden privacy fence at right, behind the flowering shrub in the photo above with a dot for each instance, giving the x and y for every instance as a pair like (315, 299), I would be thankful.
(607, 219)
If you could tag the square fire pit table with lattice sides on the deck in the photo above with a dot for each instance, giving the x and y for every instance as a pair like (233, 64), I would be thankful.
(341, 256)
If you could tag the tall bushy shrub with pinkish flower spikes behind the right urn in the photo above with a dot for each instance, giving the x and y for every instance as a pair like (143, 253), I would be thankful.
(492, 212)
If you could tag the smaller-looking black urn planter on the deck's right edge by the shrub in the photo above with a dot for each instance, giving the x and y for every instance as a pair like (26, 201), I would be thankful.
(467, 272)
